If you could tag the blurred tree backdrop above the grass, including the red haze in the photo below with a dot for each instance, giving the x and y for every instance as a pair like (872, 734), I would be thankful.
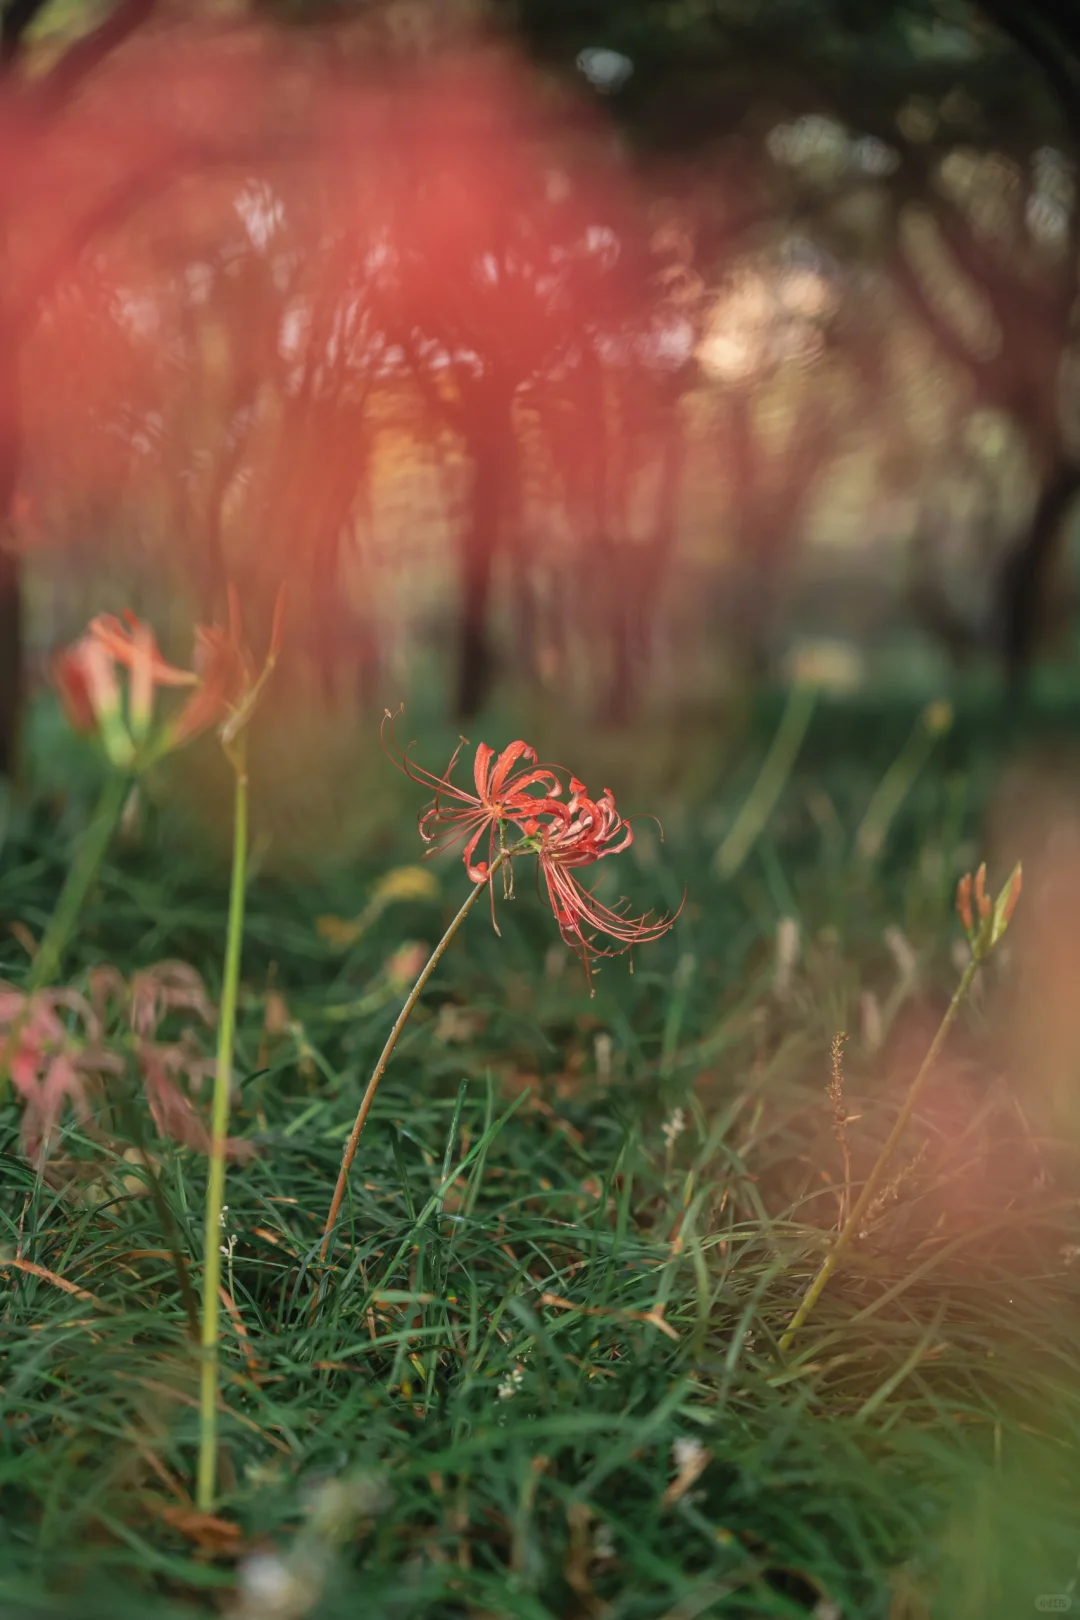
(602, 349)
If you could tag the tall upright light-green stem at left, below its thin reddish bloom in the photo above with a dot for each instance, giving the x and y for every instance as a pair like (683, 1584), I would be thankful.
(206, 1478)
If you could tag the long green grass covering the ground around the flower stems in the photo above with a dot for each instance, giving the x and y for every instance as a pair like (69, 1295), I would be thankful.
(519, 1222)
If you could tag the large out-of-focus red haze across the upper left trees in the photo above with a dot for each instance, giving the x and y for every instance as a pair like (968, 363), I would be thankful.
(237, 257)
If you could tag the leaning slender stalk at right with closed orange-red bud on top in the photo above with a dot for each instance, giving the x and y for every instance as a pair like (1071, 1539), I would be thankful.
(984, 931)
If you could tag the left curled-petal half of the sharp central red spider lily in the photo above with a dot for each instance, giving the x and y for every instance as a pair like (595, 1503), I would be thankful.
(508, 790)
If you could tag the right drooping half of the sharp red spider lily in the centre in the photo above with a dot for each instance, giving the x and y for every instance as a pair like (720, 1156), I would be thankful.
(592, 832)
